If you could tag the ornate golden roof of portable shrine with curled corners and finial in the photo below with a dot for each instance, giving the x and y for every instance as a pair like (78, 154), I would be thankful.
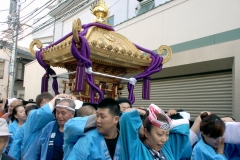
(108, 48)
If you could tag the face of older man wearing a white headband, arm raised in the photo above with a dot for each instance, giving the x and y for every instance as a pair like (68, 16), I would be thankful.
(63, 115)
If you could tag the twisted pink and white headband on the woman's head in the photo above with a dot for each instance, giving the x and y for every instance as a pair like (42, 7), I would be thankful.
(153, 110)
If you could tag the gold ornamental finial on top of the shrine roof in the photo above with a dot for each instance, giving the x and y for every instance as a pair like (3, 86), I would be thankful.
(100, 10)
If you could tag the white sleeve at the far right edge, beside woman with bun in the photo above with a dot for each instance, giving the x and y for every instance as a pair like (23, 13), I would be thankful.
(232, 132)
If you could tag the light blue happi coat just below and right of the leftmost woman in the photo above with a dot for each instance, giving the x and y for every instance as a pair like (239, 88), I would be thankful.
(16, 149)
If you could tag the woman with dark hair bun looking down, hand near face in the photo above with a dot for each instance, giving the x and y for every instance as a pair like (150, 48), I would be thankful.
(211, 145)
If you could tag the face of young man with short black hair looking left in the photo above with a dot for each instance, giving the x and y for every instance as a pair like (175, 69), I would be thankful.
(106, 122)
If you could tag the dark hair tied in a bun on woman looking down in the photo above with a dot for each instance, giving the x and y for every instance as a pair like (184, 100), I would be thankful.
(212, 125)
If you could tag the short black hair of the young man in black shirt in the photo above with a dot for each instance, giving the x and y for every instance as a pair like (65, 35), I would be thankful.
(111, 104)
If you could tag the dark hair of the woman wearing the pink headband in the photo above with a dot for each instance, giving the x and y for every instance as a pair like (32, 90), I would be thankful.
(148, 125)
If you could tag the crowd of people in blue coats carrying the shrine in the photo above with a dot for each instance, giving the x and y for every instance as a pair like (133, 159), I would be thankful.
(62, 127)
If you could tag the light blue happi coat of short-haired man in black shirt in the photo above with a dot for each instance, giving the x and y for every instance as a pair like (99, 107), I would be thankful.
(92, 146)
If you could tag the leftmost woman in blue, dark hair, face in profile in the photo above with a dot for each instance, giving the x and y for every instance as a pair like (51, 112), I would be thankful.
(18, 119)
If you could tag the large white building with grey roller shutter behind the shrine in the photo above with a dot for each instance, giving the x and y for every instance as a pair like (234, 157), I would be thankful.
(203, 73)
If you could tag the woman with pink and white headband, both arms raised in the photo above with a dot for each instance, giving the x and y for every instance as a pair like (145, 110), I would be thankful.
(163, 138)
